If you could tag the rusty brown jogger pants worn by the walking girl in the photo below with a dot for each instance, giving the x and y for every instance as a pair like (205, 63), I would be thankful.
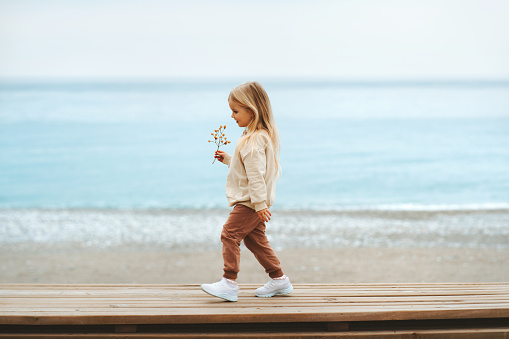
(244, 224)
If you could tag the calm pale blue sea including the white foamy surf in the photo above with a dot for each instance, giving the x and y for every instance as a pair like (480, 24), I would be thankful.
(79, 156)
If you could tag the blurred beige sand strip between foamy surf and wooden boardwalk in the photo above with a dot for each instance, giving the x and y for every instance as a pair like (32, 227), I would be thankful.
(336, 265)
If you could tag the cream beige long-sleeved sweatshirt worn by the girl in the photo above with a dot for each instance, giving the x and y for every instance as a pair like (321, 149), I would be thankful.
(251, 177)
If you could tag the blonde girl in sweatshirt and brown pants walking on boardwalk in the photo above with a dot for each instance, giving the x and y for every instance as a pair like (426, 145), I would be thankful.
(251, 189)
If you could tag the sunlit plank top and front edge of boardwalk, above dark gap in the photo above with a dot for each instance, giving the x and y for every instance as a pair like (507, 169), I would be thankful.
(187, 304)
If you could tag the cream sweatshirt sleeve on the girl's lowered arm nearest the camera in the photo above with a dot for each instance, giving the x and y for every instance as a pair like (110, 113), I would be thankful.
(255, 163)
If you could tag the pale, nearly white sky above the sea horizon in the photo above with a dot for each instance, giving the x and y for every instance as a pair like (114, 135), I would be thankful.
(340, 39)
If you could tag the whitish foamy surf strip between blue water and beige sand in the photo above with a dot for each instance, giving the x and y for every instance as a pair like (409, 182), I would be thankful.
(199, 230)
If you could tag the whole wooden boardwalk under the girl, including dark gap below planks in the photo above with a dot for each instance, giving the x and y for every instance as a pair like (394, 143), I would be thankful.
(311, 311)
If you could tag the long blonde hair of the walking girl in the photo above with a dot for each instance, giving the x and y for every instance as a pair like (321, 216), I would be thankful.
(252, 96)
